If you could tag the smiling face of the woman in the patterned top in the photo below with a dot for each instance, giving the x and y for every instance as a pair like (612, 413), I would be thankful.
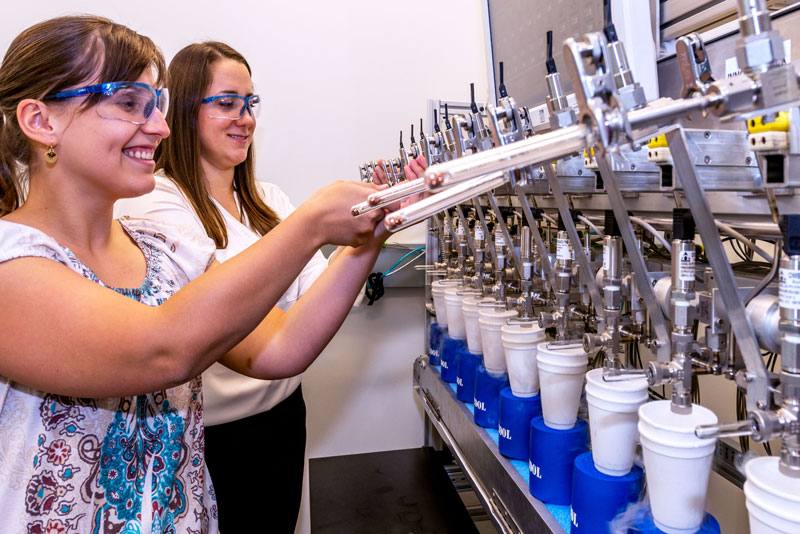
(113, 157)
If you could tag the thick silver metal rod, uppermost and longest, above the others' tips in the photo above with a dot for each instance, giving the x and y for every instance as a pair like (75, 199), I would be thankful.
(536, 150)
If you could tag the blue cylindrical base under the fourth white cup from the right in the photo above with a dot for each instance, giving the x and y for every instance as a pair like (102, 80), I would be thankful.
(552, 458)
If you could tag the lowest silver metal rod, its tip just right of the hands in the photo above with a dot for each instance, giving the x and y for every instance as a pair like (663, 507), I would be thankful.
(411, 215)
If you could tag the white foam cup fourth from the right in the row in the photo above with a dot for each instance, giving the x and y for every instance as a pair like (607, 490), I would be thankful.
(561, 373)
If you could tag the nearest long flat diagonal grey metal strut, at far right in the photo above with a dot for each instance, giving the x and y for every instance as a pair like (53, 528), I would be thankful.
(758, 383)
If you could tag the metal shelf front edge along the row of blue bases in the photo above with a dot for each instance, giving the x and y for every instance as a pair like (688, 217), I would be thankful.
(500, 487)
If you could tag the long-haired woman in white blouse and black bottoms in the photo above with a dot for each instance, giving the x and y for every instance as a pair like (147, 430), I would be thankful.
(206, 182)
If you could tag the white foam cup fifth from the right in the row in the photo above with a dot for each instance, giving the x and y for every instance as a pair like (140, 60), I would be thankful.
(520, 344)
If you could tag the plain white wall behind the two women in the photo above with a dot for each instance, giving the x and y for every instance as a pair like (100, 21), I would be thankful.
(343, 78)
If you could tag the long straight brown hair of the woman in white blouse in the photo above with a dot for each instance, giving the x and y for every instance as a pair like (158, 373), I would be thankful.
(188, 78)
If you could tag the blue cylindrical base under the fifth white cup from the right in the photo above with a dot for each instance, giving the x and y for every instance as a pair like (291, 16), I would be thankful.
(514, 423)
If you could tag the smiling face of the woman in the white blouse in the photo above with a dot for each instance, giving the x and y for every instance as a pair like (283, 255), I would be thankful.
(224, 142)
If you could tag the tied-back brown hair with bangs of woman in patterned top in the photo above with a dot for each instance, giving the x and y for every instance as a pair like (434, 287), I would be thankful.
(55, 55)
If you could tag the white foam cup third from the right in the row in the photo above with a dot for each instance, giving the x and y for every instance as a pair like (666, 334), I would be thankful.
(613, 416)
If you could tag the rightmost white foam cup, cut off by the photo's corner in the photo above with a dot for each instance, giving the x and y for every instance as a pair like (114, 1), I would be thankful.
(772, 498)
